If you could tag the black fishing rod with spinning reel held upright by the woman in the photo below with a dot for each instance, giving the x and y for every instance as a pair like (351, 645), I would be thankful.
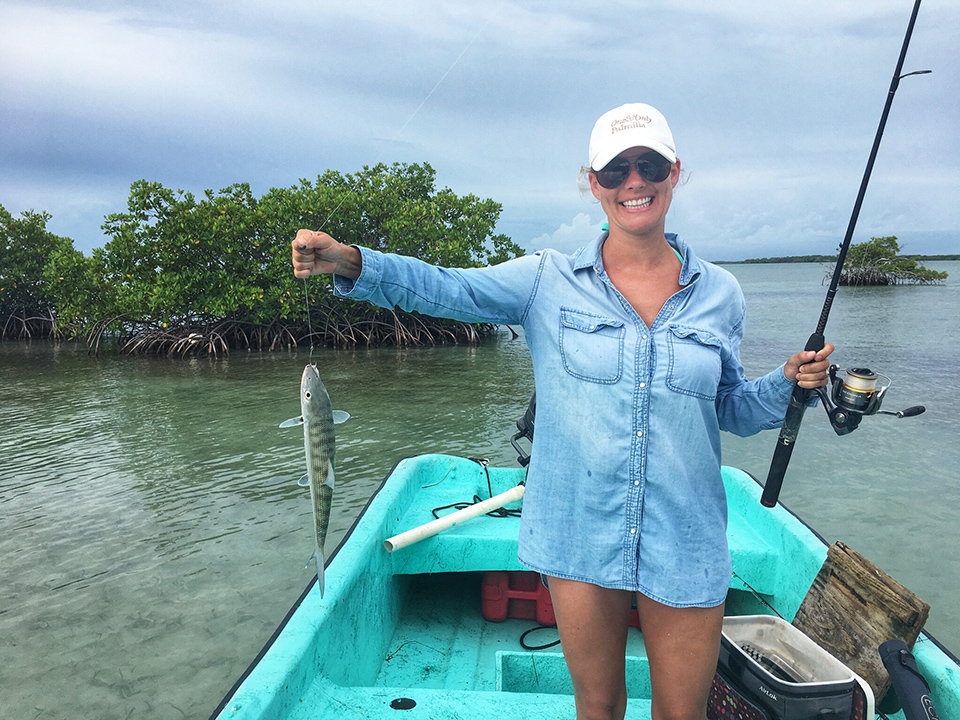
(857, 395)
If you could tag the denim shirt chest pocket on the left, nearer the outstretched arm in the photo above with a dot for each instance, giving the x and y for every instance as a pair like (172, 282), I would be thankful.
(591, 346)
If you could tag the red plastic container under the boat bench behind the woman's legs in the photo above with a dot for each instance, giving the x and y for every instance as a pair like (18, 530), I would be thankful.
(520, 594)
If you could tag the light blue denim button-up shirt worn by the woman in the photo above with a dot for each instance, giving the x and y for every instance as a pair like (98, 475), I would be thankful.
(624, 487)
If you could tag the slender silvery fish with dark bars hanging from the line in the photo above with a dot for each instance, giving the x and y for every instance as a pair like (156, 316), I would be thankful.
(318, 417)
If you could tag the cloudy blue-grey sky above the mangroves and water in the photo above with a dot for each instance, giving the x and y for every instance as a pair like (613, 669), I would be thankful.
(773, 105)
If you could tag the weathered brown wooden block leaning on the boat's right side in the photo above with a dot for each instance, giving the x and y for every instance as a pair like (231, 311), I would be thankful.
(852, 607)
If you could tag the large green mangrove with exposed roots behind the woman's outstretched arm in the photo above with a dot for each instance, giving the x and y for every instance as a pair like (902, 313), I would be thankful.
(181, 274)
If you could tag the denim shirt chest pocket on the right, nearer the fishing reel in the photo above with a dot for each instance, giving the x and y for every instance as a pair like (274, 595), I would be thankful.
(695, 365)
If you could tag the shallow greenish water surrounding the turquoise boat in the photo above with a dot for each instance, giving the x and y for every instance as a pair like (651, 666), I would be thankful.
(154, 535)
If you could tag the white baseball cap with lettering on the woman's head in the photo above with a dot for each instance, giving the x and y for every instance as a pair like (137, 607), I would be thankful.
(630, 125)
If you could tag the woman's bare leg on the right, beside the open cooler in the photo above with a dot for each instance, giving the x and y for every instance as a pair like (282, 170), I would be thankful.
(682, 645)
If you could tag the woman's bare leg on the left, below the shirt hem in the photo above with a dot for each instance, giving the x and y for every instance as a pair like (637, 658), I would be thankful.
(593, 622)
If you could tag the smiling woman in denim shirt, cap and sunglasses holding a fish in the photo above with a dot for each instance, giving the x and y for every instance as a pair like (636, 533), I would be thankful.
(635, 348)
